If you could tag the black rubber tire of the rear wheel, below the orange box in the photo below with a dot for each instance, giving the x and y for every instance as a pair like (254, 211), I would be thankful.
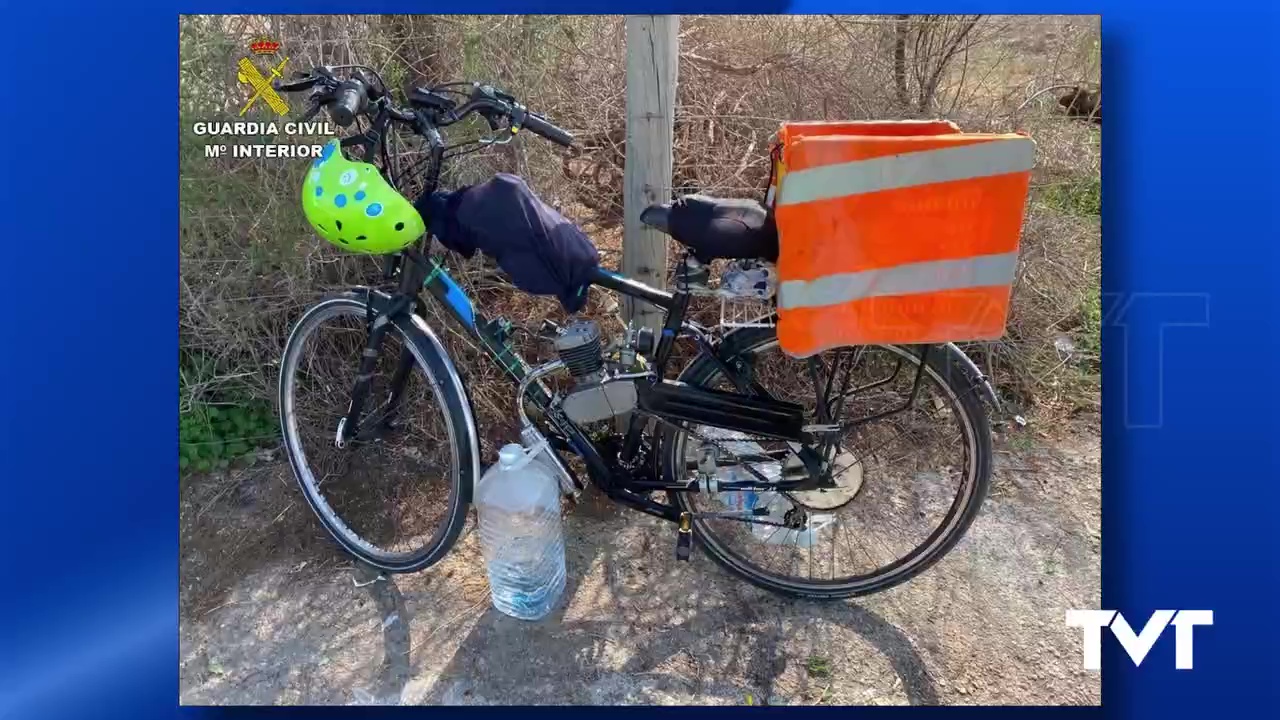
(944, 367)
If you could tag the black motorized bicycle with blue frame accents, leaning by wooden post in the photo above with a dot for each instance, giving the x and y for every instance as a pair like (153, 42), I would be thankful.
(735, 464)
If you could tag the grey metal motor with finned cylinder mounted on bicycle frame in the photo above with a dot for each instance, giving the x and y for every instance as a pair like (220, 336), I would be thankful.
(597, 397)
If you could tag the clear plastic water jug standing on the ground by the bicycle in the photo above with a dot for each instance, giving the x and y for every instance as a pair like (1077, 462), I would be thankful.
(522, 535)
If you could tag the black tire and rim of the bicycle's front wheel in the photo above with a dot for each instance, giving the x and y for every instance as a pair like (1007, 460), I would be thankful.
(446, 382)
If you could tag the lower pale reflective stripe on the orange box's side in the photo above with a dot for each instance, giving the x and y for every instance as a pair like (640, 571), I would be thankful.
(913, 279)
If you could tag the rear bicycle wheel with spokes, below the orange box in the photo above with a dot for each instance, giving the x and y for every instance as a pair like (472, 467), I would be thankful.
(909, 485)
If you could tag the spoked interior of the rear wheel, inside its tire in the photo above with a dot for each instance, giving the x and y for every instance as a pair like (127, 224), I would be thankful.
(900, 463)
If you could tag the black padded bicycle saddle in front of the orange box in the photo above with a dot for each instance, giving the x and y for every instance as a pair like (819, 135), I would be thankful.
(717, 229)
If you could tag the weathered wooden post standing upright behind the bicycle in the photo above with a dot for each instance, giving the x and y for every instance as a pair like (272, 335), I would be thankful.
(652, 60)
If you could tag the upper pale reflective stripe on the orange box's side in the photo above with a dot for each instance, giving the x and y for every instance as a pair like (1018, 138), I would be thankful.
(909, 170)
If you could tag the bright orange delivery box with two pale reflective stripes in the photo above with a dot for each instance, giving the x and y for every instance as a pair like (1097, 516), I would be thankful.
(895, 233)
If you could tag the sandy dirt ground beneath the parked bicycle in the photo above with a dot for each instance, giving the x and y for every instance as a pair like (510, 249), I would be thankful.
(275, 614)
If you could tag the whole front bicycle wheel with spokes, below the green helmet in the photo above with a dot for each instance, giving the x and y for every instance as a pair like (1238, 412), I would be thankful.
(396, 494)
